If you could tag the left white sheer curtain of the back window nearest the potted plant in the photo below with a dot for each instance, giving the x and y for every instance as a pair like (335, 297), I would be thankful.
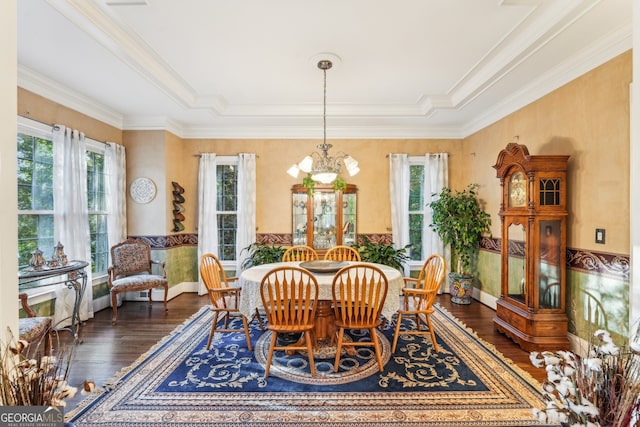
(399, 192)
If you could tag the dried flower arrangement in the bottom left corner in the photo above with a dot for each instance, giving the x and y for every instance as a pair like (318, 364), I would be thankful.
(41, 381)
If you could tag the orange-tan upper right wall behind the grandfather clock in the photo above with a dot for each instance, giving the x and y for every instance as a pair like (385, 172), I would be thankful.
(587, 119)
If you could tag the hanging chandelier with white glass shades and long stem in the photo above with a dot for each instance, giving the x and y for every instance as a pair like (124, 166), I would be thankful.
(321, 166)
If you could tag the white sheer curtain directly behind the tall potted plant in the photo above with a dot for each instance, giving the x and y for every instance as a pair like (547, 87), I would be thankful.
(436, 177)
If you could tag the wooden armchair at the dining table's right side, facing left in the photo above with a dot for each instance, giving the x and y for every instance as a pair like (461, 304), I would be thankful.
(418, 297)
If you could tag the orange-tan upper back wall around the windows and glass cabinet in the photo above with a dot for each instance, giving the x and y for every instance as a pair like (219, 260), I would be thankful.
(274, 185)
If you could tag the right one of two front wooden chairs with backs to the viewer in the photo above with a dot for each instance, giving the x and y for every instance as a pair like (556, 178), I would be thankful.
(359, 292)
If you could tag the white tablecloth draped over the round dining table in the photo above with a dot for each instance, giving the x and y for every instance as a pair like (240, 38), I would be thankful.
(251, 278)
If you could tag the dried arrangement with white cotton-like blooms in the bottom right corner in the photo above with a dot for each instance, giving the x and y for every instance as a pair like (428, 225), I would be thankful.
(600, 389)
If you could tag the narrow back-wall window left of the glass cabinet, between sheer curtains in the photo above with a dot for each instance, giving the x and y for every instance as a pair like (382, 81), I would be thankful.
(227, 205)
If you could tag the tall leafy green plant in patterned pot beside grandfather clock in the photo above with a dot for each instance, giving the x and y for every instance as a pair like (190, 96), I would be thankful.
(460, 222)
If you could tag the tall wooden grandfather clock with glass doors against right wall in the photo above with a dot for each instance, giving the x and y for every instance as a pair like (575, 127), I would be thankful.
(533, 212)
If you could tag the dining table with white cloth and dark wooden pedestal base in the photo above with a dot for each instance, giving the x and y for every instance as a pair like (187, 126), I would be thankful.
(250, 299)
